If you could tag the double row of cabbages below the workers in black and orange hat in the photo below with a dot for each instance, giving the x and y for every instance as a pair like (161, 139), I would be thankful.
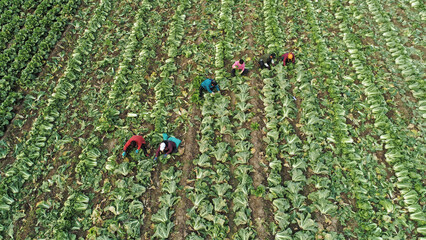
(289, 203)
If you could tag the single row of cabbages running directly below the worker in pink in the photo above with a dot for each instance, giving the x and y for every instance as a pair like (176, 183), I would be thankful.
(246, 226)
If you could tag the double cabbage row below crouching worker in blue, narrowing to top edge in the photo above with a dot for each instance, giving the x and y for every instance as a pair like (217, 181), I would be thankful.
(211, 192)
